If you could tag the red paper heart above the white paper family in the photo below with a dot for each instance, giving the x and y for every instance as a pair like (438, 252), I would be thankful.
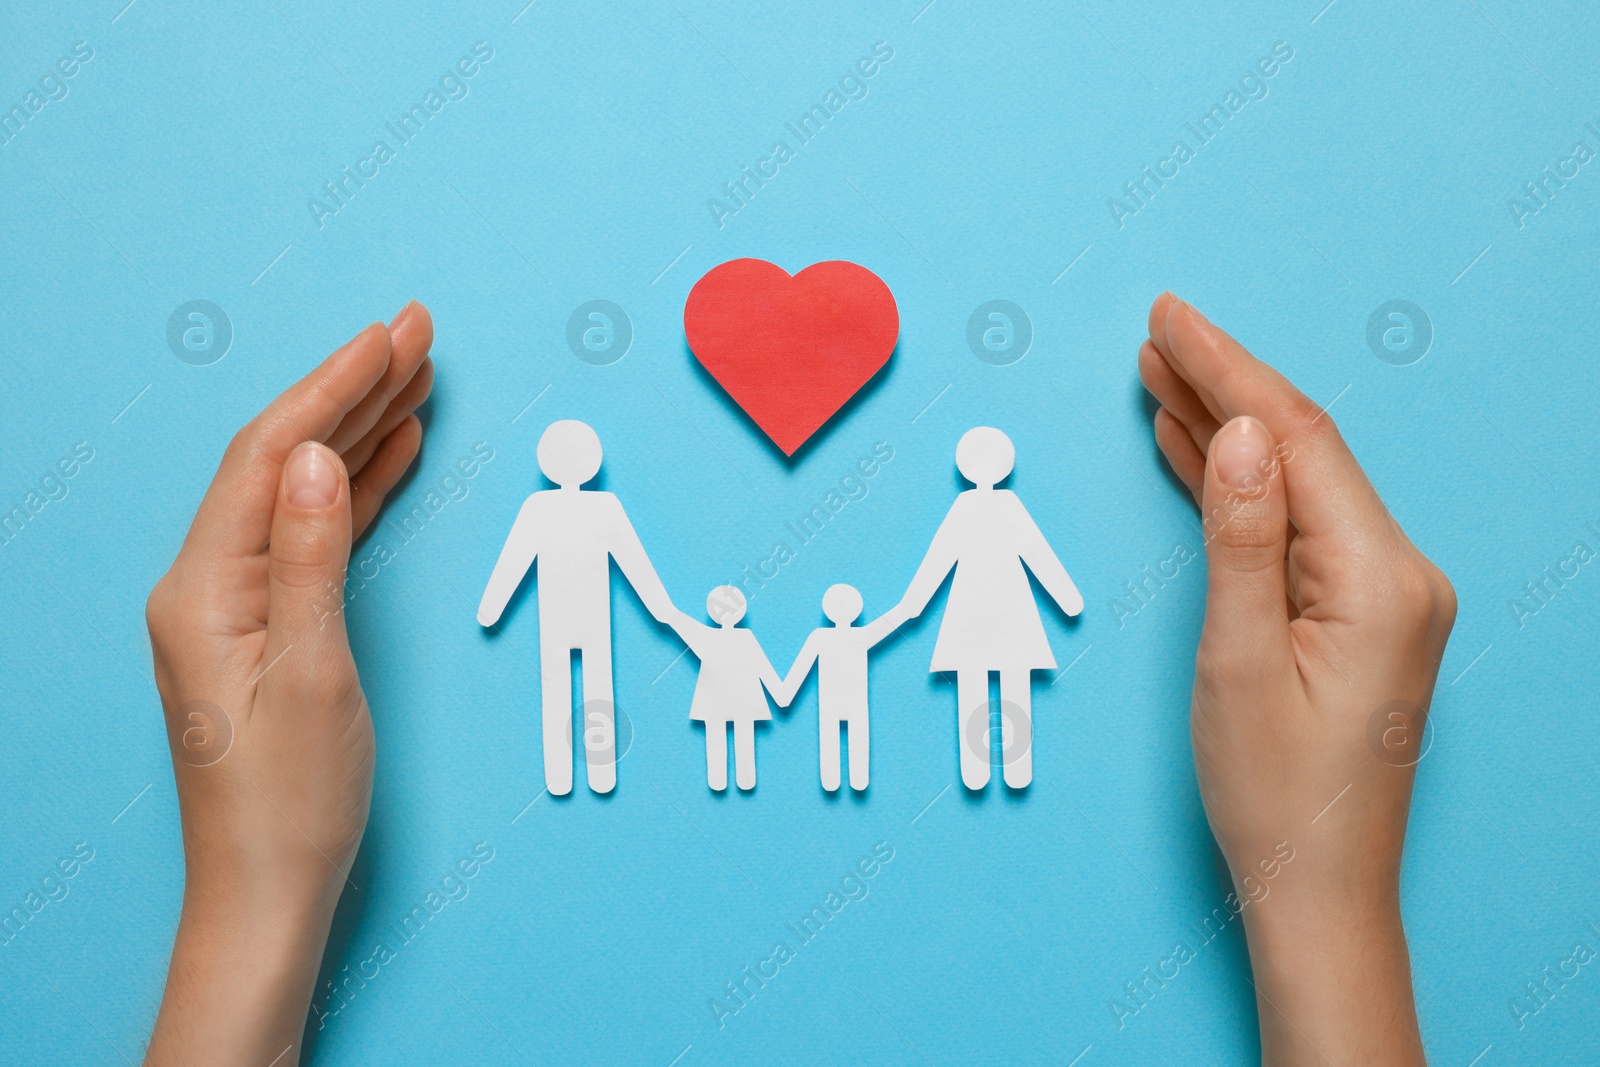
(791, 351)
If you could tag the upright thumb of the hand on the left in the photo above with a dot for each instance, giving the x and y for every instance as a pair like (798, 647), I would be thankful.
(308, 554)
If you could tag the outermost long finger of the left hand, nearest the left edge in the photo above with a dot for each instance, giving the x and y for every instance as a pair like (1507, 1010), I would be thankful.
(236, 516)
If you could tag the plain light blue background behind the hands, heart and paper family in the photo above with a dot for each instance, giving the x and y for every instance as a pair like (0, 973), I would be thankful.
(978, 169)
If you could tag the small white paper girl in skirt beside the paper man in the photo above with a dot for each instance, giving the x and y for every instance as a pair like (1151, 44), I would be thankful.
(729, 690)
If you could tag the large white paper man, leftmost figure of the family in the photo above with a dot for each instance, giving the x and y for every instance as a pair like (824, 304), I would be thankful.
(575, 533)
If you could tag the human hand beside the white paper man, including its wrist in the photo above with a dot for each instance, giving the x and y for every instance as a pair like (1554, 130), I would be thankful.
(271, 737)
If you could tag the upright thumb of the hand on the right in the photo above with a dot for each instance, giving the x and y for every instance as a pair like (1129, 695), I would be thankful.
(1246, 524)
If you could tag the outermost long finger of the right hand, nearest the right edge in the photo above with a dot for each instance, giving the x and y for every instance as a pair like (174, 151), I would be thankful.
(1327, 490)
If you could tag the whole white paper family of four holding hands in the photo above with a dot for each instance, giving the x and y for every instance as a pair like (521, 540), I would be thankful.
(991, 623)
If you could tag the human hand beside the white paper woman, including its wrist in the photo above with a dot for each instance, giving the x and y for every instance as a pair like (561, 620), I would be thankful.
(1321, 620)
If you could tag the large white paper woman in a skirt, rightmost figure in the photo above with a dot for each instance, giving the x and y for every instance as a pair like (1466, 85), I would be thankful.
(991, 621)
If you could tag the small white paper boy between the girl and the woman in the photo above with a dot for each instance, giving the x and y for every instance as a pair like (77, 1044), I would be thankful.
(841, 657)
